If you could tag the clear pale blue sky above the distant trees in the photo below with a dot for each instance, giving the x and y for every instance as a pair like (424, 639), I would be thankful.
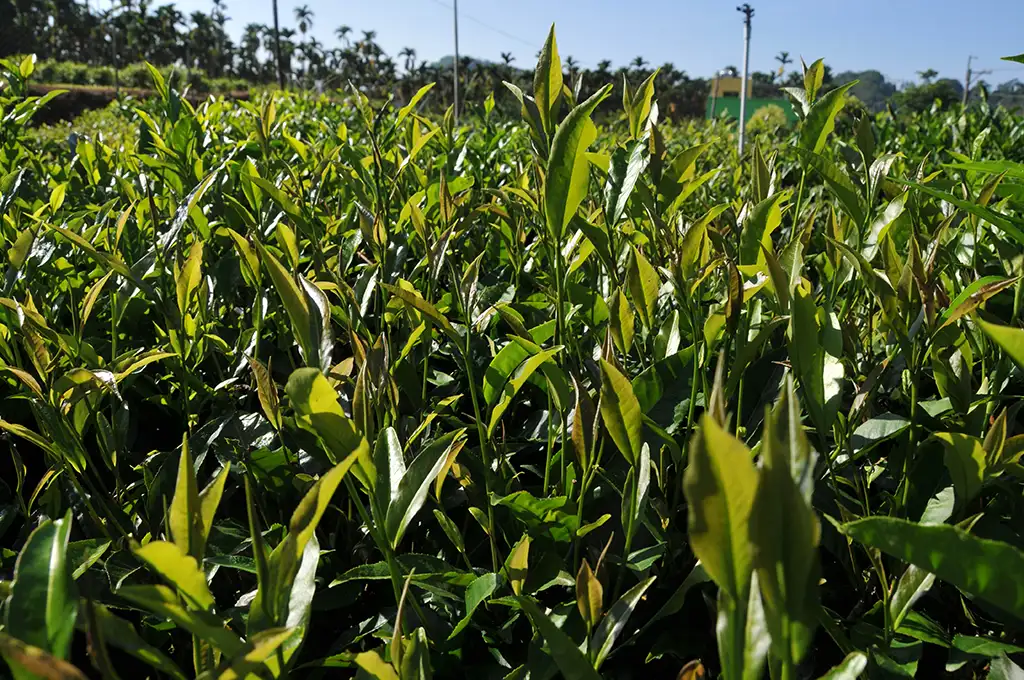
(897, 37)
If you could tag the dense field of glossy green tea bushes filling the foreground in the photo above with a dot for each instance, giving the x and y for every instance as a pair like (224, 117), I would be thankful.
(309, 389)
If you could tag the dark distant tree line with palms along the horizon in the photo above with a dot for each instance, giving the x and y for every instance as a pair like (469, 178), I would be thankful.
(136, 31)
